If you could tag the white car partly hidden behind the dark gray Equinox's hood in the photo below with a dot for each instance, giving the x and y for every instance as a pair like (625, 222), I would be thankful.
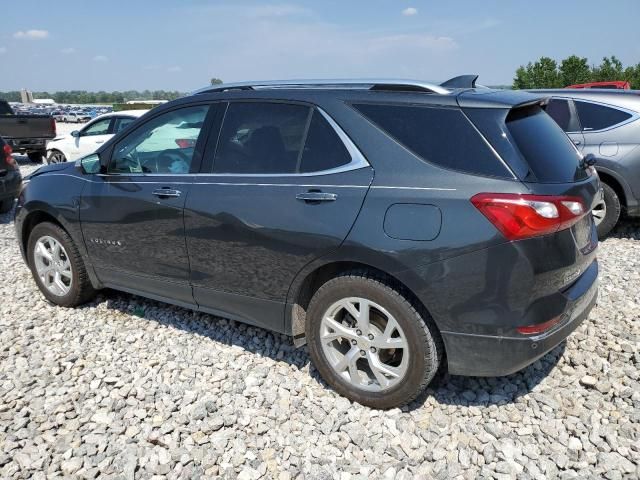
(90, 137)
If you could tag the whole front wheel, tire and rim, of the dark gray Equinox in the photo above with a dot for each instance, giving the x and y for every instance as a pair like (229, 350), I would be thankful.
(57, 266)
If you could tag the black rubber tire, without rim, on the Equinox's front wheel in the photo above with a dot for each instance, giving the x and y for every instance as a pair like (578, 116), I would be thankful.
(81, 289)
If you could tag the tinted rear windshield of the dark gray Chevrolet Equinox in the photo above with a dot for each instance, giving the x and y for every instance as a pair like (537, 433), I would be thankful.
(550, 154)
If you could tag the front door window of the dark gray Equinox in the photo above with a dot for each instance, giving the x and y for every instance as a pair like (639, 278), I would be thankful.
(165, 144)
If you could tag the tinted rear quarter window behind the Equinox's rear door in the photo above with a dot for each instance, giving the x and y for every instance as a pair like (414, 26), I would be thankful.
(437, 135)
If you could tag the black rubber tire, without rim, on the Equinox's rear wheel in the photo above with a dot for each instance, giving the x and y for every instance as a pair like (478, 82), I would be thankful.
(426, 349)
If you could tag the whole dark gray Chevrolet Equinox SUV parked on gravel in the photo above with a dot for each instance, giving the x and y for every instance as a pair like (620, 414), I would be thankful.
(396, 227)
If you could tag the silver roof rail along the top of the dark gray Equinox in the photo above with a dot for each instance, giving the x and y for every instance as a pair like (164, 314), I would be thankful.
(370, 84)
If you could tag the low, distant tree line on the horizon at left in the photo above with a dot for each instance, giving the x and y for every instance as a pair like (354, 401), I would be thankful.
(84, 97)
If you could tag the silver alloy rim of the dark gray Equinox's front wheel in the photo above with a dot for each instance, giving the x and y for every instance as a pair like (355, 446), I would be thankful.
(53, 266)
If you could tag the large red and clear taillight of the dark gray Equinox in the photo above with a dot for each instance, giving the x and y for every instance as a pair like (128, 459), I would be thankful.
(519, 216)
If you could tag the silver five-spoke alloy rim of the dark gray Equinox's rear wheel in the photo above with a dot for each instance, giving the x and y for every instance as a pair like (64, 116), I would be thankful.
(364, 344)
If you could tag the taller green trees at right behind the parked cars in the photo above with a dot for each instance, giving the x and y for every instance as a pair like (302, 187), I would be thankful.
(547, 73)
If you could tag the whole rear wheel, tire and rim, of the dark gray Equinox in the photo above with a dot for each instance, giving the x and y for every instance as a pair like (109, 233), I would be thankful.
(370, 343)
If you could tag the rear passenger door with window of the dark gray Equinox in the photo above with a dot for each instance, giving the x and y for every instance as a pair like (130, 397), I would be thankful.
(282, 186)
